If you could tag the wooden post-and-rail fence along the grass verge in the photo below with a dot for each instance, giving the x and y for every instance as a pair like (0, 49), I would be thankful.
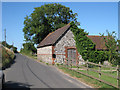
(87, 68)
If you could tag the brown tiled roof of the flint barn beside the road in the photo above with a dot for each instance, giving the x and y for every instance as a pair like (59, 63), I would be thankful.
(51, 38)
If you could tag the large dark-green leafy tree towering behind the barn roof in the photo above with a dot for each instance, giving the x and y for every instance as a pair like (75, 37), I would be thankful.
(46, 19)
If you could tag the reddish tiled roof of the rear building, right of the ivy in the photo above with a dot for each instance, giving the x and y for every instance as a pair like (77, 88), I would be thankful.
(99, 41)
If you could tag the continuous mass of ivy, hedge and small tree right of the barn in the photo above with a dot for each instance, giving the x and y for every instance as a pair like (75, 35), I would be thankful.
(87, 48)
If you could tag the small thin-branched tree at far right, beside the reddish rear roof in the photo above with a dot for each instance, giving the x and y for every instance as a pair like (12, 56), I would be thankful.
(111, 44)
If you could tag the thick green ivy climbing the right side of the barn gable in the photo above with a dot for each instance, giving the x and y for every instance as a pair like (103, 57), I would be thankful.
(83, 43)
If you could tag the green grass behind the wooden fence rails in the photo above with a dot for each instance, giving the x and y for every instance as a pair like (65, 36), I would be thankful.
(104, 70)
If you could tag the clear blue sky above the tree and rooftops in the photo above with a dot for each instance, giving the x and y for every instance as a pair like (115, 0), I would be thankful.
(94, 17)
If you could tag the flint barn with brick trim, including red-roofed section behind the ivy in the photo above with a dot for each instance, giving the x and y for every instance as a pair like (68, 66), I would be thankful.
(60, 45)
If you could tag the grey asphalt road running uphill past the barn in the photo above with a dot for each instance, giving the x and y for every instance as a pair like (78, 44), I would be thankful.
(28, 73)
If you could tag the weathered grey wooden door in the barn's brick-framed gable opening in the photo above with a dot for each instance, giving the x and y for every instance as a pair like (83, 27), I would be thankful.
(71, 56)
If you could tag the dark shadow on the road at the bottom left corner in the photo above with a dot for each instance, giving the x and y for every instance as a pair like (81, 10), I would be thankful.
(16, 85)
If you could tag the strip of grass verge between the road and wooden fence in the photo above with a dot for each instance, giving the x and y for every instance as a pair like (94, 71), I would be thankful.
(90, 81)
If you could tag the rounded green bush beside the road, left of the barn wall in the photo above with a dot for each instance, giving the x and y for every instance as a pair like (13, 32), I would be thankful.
(28, 48)
